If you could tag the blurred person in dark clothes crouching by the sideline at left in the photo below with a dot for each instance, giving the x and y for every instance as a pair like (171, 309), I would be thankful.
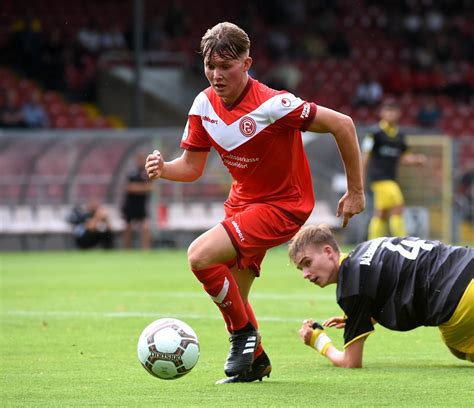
(91, 226)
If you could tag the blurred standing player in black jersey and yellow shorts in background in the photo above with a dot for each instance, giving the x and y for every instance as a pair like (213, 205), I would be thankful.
(383, 149)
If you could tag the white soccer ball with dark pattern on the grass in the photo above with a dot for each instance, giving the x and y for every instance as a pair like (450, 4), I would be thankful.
(168, 348)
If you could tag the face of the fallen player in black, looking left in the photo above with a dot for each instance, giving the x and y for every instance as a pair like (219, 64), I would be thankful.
(318, 264)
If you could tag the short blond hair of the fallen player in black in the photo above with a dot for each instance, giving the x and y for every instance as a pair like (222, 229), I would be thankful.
(315, 235)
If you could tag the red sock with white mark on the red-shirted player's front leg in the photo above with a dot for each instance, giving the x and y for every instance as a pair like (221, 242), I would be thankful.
(219, 283)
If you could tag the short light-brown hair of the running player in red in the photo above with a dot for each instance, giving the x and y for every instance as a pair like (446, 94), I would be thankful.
(227, 40)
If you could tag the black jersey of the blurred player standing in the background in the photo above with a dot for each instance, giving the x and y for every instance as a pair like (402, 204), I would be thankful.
(385, 144)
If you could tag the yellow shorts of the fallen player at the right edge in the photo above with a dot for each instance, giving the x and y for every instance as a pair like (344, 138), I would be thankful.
(458, 331)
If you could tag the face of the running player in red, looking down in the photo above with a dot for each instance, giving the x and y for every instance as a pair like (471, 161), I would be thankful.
(227, 77)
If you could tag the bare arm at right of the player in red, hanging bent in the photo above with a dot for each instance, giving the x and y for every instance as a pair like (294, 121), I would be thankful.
(343, 129)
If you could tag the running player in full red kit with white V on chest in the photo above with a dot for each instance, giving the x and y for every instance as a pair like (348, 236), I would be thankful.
(257, 132)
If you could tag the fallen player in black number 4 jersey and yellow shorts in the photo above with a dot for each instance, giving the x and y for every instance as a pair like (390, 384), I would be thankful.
(401, 283)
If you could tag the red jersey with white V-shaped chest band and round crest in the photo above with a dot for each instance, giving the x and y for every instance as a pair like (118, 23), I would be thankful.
(259, 141)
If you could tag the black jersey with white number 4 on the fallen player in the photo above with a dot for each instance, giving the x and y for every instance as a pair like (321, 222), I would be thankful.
(402, 283)
